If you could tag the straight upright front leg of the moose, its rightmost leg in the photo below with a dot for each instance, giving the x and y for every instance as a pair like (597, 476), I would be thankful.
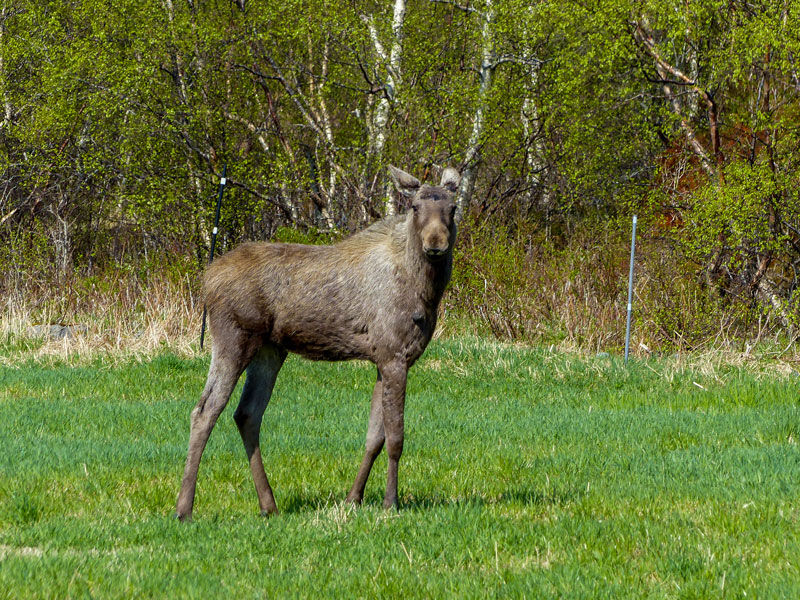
(394, 397)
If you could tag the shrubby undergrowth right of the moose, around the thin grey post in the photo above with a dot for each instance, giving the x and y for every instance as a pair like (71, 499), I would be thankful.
(571, 292)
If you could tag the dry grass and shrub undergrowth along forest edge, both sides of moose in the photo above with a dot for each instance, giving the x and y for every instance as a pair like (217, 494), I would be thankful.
(565, 291)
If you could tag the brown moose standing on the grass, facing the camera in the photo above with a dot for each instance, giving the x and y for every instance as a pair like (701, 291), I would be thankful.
(372, 296)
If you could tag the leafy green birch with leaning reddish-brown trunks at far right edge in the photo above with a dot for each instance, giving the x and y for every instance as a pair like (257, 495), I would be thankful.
(728, 98)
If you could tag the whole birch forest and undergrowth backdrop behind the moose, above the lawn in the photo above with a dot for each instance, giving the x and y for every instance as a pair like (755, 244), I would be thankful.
(565, 118)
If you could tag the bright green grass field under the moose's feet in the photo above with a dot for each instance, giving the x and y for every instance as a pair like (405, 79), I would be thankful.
(525, 474)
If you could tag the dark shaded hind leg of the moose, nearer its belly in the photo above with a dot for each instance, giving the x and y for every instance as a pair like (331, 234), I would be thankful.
(261, 375)
